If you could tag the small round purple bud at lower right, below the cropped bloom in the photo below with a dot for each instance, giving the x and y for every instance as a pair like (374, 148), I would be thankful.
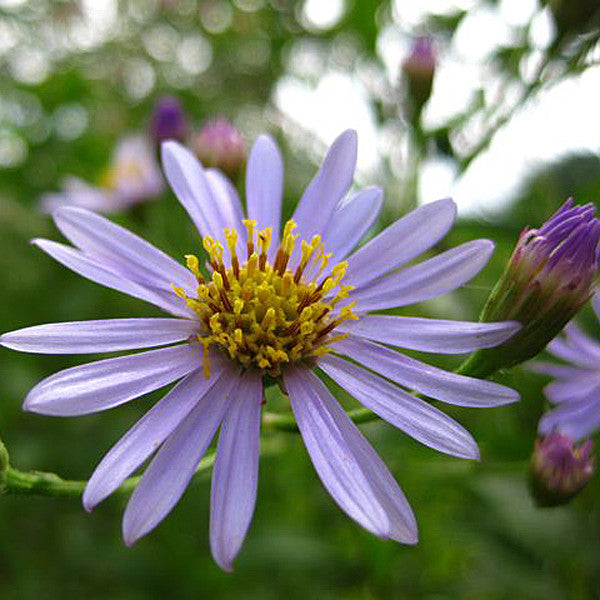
(559, 470)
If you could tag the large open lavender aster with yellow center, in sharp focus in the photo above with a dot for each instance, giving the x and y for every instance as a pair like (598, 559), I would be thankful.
(271, 303)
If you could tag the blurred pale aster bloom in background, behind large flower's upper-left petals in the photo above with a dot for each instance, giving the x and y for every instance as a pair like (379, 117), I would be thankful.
(132, 177)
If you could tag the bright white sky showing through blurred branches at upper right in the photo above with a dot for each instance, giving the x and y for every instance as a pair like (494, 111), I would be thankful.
(558, 122)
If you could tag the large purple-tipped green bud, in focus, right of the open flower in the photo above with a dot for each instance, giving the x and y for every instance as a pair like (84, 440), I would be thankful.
(551, 274)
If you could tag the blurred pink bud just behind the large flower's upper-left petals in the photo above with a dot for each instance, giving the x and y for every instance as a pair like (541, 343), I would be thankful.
(219, 144)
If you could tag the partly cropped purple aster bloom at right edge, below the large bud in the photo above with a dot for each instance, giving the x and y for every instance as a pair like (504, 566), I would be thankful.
(576, 391)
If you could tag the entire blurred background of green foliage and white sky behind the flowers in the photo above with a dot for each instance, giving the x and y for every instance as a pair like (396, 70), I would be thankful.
(510, 131)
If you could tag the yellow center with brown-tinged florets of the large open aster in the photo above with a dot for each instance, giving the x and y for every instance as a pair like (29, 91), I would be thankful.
(265, 315)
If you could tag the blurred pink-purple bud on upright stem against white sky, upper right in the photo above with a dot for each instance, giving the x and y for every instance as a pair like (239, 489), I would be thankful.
(418, 70)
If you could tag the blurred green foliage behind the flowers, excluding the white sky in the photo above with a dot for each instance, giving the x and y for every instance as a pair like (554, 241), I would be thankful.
(65, 100)
